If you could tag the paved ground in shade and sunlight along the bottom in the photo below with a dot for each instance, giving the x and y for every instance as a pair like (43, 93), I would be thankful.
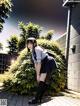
(17, 100)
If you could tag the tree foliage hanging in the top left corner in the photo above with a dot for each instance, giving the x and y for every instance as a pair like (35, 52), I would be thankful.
(5, 9)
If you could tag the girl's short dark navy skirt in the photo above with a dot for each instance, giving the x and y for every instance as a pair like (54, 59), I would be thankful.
(48, 64)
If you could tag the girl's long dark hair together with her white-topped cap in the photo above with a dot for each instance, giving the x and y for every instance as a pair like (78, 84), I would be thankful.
(34, 42)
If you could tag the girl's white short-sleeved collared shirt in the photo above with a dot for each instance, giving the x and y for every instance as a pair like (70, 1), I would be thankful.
(40, 54)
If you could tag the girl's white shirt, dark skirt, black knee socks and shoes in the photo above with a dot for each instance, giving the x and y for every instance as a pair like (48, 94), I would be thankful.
(47, 65)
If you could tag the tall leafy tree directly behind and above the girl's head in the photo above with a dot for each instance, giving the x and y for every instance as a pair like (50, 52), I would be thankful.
(29, 30)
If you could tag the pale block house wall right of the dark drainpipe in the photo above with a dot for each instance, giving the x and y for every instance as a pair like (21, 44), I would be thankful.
(74, 58)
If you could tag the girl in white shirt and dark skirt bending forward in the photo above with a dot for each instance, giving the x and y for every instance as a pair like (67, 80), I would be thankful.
(43, 64)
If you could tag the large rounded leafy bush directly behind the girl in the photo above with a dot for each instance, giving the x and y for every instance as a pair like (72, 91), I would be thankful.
(24, 80)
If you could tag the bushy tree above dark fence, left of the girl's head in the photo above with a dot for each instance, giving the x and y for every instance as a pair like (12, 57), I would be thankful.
(13, 45)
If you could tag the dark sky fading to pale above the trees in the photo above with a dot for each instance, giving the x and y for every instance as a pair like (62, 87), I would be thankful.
(49, 14)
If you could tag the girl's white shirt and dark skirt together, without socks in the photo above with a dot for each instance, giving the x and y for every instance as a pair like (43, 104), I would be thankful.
(47, 62)
